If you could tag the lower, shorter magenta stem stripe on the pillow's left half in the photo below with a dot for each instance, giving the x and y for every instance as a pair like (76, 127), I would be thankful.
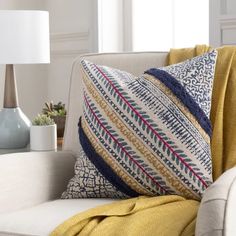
(123, 149)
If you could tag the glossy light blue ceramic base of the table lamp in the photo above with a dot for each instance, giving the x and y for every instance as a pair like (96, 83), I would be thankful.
(14, 128)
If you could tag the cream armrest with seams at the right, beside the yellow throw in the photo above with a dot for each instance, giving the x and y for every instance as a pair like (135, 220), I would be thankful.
(217, 212)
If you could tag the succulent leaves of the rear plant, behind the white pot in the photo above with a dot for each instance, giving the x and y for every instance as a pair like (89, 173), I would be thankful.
(54, 109)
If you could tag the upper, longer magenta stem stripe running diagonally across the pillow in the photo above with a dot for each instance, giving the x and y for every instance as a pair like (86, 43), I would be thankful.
(153, 130)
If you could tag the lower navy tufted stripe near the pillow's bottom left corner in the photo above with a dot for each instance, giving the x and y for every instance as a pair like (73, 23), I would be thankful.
(103, 167)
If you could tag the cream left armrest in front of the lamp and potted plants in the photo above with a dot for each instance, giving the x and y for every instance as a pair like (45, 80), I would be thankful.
(27, 179)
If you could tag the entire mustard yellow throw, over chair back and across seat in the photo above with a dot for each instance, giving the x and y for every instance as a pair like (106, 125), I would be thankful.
(170, 215)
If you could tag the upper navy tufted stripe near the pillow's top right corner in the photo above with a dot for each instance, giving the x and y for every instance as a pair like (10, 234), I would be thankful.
(180, 92)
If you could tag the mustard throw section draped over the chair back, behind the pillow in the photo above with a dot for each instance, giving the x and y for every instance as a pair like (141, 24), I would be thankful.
(223, 109)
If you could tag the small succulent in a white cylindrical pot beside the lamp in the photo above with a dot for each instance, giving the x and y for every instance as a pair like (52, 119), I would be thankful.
(43, 134)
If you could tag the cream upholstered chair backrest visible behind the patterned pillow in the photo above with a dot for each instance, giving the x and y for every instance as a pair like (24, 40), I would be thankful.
(135, 63)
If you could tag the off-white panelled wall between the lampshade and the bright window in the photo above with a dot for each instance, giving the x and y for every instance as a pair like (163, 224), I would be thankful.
(73, 32)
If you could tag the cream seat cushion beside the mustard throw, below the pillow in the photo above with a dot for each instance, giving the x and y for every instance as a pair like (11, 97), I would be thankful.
(44, 218)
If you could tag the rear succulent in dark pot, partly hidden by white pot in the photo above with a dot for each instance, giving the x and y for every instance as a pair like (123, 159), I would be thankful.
(58, 113)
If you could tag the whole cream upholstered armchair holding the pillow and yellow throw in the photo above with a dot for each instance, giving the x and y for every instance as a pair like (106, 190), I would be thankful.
(31, 183)
